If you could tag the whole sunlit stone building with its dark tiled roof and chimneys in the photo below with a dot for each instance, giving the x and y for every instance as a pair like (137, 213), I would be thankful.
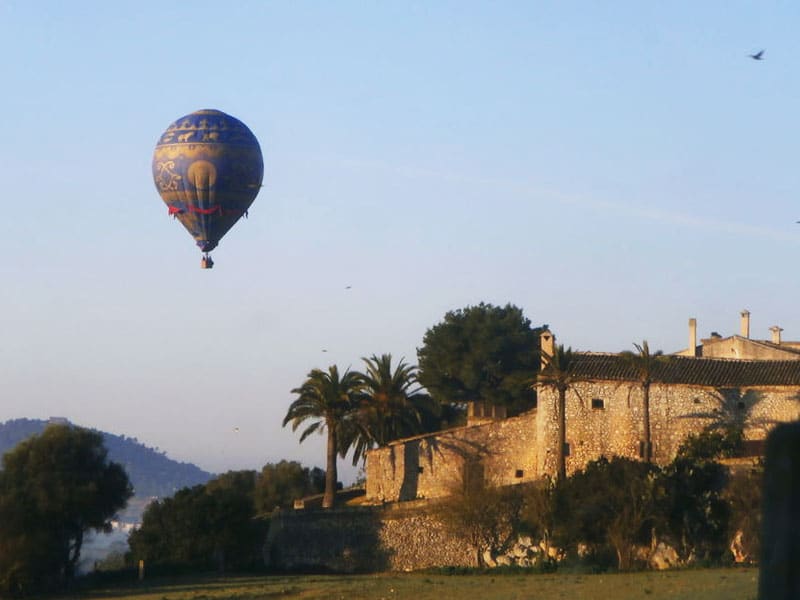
(735, 379)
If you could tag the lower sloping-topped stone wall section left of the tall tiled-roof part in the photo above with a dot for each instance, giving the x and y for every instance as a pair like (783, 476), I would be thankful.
(502, 452)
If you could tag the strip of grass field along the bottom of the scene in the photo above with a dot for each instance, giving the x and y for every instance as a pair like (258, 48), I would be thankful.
(707, 584)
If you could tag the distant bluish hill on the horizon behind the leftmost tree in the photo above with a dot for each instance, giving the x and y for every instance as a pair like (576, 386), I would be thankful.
(150, 471)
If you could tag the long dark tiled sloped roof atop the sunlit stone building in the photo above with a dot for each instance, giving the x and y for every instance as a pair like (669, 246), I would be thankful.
(714, 372)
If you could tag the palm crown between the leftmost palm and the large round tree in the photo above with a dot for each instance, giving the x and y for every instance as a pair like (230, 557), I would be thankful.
(392, 405)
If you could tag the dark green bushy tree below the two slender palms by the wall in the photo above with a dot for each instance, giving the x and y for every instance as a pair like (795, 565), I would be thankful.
(610, 504)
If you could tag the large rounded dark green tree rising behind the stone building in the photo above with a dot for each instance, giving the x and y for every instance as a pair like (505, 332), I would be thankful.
(481, 353)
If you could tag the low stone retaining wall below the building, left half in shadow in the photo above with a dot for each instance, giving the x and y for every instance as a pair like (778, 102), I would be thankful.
(364, 539)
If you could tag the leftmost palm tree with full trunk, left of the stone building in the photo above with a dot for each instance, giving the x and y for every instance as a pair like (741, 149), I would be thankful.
(330, 400)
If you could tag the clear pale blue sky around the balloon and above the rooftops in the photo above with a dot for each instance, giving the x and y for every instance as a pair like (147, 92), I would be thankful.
(613, 168)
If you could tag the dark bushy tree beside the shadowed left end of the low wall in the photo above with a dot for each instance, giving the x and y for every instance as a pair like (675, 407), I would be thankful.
(204, 527)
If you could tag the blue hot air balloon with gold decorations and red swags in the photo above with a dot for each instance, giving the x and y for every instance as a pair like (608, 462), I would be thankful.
(208, 168)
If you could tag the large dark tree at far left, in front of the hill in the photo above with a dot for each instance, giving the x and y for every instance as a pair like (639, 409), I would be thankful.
(54, 488)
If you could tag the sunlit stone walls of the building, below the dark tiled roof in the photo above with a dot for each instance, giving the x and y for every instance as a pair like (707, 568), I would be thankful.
(603, 418)
